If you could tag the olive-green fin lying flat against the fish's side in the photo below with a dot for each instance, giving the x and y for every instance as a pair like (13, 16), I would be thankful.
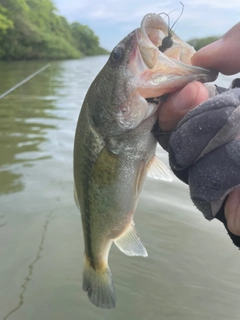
(105, 170)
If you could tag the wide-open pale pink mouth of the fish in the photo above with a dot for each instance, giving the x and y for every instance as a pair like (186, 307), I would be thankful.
(164, 68)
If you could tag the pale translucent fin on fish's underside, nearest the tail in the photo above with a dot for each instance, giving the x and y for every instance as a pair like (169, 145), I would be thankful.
(130, 244)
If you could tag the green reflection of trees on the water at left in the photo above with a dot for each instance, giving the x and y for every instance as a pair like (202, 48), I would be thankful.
(24, 121)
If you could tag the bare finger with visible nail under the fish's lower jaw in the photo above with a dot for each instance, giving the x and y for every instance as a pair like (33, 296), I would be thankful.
(180, 103)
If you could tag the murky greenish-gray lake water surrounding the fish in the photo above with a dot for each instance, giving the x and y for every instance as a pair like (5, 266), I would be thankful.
(193, 269)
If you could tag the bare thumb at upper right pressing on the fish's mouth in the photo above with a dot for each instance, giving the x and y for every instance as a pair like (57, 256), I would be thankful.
(222, 55)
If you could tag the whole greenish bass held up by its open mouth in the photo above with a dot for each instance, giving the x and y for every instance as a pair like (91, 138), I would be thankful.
(114, 149)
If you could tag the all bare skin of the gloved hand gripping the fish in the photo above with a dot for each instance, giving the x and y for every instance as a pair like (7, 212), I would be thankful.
(222, 55)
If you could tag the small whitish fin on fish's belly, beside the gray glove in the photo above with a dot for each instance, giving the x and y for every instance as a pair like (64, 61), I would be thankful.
(157, 170)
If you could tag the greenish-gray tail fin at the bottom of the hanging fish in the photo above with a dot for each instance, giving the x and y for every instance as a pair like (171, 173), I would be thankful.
(99, 286)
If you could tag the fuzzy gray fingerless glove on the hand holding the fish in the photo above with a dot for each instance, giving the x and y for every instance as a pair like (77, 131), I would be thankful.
(204, 151)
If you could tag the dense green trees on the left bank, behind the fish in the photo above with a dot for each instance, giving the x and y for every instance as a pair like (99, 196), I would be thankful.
(31, 29)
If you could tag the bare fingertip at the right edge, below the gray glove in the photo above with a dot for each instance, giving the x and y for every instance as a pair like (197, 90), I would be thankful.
(232, 211)
